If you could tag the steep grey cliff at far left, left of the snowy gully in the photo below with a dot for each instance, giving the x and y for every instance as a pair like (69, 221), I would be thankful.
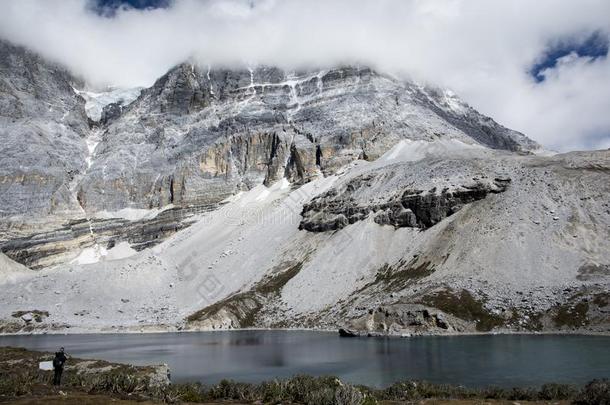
(42, 130)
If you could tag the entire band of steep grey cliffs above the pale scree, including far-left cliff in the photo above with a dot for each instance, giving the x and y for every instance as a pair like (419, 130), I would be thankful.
(196, 137)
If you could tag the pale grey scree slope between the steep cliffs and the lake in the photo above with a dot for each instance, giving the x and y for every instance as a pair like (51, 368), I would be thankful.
(531, 258)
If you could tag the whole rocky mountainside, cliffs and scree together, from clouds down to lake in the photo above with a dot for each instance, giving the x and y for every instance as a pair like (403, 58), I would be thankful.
(256, 197)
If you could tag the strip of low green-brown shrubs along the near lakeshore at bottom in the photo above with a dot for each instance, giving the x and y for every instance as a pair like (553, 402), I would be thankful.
(303, 389)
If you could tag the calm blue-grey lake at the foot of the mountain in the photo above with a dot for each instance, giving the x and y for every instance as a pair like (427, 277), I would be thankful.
(253, 356)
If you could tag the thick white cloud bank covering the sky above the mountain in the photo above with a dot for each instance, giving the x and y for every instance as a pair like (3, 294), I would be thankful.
(482, 49)
